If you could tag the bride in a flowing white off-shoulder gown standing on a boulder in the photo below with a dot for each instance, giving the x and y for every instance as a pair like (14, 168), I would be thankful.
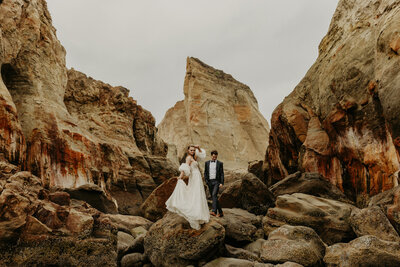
(189, 201)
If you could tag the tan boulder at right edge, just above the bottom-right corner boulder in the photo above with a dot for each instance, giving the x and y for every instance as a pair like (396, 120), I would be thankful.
(372, 221)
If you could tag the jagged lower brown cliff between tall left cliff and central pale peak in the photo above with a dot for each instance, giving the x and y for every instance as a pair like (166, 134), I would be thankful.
(131, 160)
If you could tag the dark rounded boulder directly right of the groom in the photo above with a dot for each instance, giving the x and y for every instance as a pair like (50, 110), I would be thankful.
(249, 193)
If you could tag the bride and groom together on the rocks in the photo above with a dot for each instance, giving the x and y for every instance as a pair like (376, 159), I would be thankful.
(189, 201)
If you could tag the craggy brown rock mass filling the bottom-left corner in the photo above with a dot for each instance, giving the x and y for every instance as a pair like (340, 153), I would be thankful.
(36, 231)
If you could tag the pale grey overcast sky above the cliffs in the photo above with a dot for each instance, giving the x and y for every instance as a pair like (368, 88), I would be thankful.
(143, 45)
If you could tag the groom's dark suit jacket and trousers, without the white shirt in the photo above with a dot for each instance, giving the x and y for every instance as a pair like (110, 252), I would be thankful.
(213, 184)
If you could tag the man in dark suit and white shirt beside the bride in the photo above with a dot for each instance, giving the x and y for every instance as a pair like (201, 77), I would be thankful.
(214, 176)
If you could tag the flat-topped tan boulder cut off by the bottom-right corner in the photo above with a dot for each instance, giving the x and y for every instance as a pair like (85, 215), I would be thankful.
(364, 251)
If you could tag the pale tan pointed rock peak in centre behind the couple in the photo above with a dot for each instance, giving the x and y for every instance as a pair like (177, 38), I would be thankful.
(219, 113)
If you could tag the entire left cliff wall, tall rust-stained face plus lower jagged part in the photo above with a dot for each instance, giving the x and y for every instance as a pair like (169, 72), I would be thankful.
(66, 128)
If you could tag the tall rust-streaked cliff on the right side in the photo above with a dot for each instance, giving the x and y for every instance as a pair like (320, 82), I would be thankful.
(341, 121)
